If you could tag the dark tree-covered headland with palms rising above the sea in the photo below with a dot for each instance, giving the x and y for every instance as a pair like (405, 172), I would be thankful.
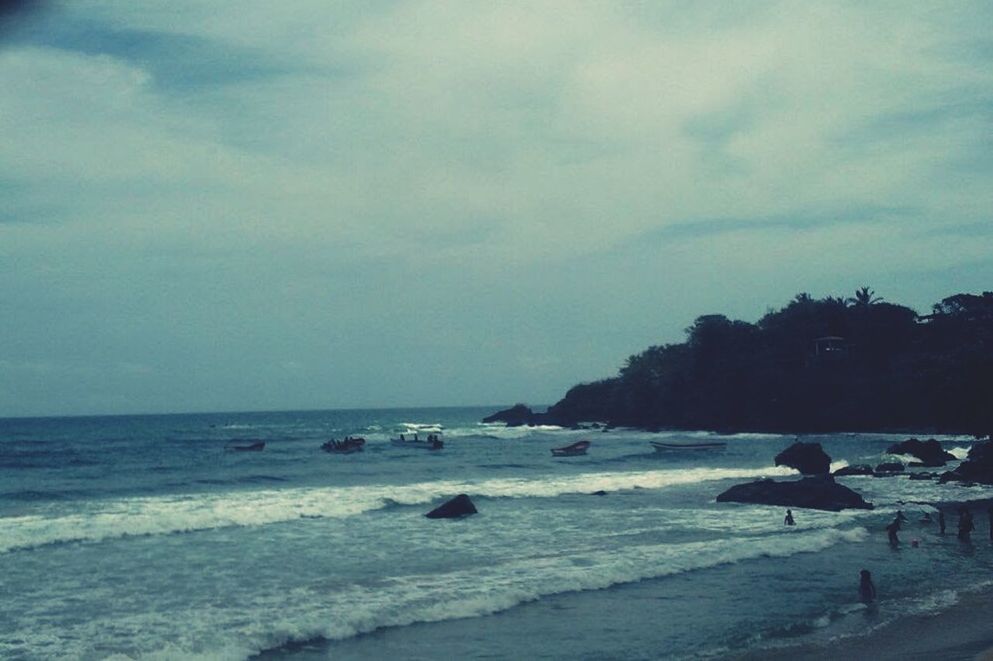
(815, 365)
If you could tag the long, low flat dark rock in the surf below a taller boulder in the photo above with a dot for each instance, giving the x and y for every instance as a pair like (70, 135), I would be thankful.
(819, 493)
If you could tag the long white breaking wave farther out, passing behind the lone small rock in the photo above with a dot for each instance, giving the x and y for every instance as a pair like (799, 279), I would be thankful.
(155, 515)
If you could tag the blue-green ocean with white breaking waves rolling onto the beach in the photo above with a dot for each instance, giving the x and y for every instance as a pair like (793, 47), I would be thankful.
(147, 537)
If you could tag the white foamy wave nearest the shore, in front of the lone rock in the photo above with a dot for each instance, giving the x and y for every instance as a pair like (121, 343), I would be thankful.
(260, 621)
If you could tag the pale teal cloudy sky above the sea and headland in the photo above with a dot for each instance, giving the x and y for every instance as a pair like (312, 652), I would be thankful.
(250, 205)
